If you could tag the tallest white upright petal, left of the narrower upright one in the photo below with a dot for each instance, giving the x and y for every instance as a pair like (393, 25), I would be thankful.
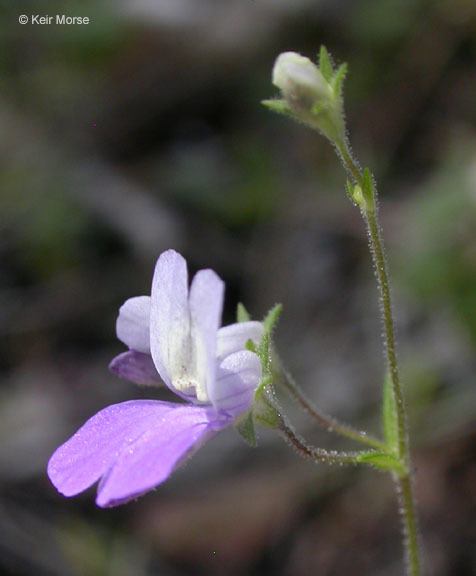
(169, 317)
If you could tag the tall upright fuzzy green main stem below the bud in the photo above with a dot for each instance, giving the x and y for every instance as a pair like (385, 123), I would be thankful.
(370, 215)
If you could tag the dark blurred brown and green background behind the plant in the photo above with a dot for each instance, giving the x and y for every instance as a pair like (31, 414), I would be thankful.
(142, 131)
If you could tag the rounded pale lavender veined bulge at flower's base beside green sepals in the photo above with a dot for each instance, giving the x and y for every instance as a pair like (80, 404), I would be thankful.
(238, 376)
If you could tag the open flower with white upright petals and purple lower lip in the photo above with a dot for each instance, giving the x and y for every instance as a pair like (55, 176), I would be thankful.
(173, 337)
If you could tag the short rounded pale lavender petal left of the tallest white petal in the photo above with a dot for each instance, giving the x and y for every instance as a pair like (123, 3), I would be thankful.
(132, 325)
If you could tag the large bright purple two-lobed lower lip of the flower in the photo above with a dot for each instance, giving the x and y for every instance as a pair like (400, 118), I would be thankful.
(99, 444)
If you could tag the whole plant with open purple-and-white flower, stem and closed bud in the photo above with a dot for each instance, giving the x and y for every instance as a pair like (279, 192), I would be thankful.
(226, 376)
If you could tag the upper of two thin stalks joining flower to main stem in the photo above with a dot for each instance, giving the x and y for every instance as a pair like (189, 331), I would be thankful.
(326, 421)
